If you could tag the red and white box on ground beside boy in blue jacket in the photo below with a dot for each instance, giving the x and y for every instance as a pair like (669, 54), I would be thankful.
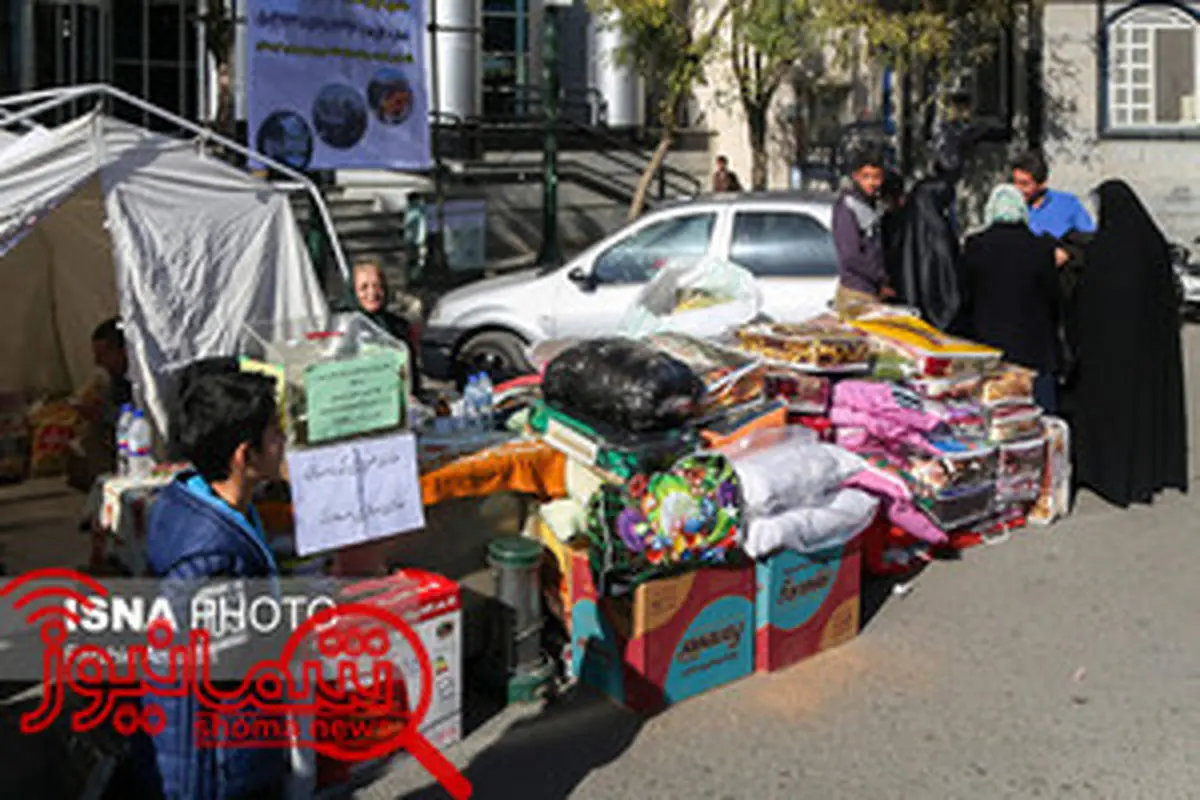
(433, 606)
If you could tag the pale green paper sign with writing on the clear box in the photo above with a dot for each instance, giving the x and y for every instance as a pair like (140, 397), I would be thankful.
(356, 396)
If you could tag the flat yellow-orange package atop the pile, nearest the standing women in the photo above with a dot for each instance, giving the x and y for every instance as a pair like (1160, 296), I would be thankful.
(932, 353)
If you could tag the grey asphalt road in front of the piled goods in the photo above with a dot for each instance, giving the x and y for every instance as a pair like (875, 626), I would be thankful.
(1061, 664)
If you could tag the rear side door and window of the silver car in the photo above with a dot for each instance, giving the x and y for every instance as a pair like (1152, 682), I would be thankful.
(793, 256)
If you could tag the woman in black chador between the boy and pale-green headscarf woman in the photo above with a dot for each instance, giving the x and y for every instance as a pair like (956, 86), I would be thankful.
(927, 263)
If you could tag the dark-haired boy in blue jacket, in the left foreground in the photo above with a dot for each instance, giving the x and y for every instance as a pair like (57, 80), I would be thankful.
(203, 527)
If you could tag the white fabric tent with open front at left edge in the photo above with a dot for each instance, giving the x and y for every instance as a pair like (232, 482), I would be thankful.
(100, 218)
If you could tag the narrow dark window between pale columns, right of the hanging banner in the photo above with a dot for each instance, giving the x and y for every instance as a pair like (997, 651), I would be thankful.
(506, 57)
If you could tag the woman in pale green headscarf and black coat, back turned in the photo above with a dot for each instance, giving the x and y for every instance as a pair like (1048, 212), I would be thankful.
(1012, 282)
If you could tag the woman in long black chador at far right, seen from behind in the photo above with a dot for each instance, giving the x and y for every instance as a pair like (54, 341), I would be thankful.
(1129, 410)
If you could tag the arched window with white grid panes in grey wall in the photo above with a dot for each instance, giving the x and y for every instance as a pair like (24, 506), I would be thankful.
(1154, 70)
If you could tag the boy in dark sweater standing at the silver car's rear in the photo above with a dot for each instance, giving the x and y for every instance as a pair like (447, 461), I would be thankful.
(859, 237)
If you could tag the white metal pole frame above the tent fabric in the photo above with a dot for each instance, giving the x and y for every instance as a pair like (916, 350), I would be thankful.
(59, 98)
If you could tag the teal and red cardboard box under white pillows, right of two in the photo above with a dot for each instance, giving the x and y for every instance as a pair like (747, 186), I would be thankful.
(807, 603)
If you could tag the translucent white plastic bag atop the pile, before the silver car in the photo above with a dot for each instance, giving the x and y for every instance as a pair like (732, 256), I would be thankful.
(731, 291)
